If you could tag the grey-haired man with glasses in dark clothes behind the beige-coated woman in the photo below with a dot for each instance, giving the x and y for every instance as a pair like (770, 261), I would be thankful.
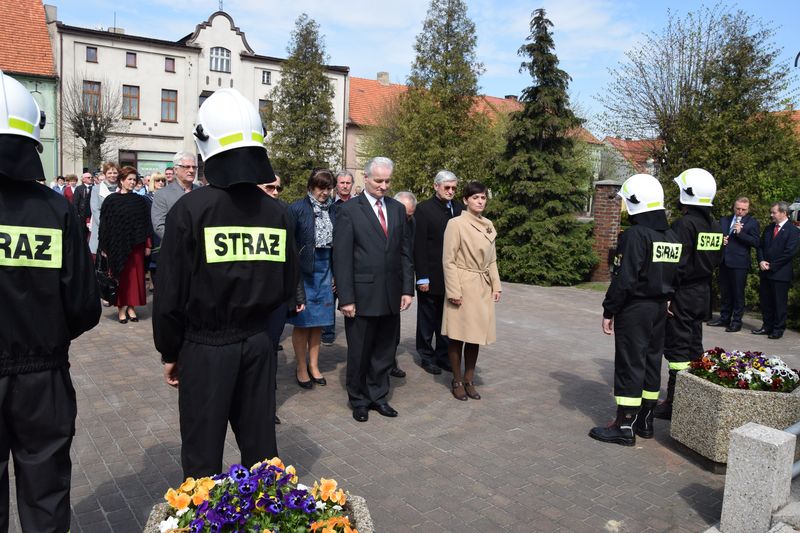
(432, 217)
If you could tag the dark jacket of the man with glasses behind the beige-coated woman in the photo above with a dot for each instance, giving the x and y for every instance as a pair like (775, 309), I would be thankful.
(432, 217)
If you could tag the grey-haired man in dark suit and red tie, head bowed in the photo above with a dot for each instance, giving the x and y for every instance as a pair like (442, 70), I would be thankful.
(374, 281)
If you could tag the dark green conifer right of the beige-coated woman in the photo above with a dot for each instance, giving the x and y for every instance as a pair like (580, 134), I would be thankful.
(541, 180)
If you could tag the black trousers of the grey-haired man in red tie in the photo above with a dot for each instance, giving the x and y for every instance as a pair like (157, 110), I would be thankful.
(370, 355)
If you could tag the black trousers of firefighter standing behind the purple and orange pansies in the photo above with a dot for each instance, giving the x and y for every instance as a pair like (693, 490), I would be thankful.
(218, 384)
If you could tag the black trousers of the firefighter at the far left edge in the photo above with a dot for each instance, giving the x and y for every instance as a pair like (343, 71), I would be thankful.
(37, 423)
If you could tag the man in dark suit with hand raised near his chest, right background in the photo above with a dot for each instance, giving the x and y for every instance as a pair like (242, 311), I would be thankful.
(740, 232)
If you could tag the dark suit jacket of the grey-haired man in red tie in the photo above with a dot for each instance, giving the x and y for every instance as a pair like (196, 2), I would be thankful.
(371, 270)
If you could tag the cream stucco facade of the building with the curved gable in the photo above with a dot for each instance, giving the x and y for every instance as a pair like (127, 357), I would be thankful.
(171, 78)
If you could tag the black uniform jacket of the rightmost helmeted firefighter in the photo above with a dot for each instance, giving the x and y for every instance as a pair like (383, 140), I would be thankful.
(702, 246)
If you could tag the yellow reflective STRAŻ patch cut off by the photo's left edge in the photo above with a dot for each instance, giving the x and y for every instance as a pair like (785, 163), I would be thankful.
(25, 246)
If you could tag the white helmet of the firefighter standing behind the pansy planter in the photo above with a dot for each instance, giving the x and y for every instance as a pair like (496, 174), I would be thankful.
(226, 121)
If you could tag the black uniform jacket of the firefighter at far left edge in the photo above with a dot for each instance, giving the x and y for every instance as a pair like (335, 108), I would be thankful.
(48, 290)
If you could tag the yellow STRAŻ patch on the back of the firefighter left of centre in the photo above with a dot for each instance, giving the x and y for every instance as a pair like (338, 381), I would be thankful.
(226, 244)
